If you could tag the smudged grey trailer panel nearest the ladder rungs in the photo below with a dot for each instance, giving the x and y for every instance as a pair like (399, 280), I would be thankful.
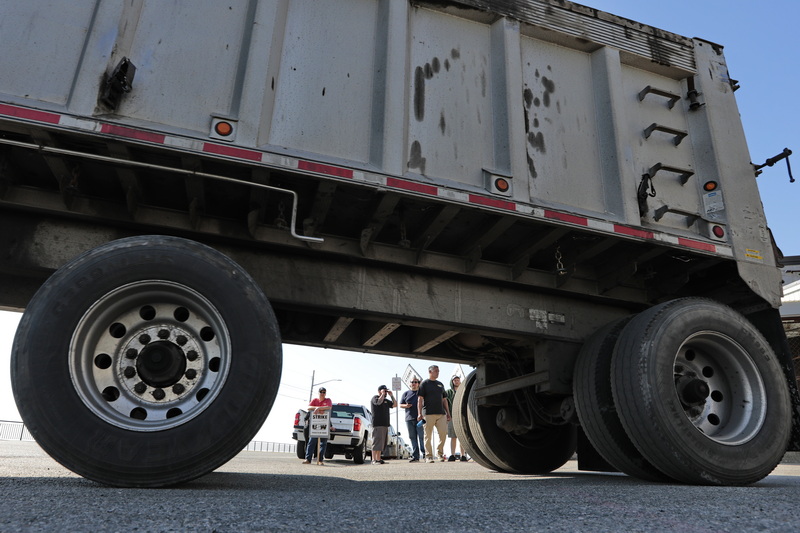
(561, 126)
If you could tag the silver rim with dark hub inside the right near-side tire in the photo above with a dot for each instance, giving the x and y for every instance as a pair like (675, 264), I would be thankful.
(720, 388)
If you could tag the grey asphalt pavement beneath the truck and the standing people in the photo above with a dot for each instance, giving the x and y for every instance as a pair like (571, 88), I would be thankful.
(259, 491)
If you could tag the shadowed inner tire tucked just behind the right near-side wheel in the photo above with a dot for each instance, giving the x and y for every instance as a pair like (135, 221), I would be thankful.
(596, 410)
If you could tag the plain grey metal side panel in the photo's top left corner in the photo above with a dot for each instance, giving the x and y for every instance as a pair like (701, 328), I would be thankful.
(48, 35)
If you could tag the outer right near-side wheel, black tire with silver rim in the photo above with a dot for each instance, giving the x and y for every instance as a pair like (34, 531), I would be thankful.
(739, 432)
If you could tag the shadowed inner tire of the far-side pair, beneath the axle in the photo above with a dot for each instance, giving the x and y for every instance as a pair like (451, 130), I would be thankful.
(539, 451)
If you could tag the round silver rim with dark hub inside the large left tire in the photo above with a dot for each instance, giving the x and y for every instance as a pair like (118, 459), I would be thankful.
(149, 355)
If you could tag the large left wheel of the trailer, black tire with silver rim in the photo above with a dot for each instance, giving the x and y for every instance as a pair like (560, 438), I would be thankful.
(148, 361)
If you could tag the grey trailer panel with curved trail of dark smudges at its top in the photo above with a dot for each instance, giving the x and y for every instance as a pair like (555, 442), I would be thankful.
(450, 124)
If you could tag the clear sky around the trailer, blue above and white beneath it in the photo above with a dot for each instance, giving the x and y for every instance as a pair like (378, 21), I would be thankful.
(761, 52)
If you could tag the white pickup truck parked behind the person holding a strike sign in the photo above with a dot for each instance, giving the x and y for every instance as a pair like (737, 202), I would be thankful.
(351, 432)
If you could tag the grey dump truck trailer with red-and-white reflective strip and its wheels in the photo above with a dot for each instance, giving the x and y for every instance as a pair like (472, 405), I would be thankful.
(556, 196)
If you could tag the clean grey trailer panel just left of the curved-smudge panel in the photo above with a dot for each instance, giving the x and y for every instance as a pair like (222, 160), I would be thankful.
(324, 90)
